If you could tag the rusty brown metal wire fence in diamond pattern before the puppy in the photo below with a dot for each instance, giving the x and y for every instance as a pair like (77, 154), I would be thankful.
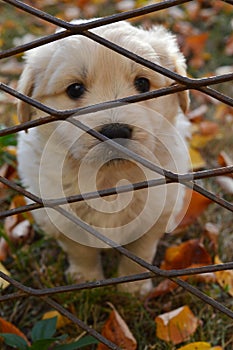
(182, 83)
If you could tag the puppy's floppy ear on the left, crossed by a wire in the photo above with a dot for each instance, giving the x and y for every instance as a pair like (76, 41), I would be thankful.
(26, 87)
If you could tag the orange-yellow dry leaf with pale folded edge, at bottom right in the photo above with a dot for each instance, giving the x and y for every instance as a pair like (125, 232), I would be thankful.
(176, 326)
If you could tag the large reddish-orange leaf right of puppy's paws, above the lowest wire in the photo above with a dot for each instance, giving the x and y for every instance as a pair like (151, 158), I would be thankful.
(185, 255)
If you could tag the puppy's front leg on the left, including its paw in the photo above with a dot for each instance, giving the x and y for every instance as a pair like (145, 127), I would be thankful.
(85, 262)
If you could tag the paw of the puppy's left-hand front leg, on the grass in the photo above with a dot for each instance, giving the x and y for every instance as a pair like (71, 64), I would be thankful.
(81, 276)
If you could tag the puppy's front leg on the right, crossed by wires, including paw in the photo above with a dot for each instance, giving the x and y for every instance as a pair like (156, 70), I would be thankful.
(145, 248)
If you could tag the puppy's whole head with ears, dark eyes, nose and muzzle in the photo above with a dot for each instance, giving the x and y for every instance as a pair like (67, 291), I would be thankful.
(77, 72)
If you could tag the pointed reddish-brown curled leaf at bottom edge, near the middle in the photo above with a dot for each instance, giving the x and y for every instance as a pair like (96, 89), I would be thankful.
(116, 330)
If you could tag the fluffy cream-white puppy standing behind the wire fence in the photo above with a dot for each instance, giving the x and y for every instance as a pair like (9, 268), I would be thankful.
(58, 159)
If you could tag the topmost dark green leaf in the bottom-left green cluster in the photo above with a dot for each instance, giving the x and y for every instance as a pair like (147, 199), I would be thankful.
(44, 329)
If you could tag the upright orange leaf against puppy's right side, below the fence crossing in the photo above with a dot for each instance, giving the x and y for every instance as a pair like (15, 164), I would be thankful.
(198, 204)
